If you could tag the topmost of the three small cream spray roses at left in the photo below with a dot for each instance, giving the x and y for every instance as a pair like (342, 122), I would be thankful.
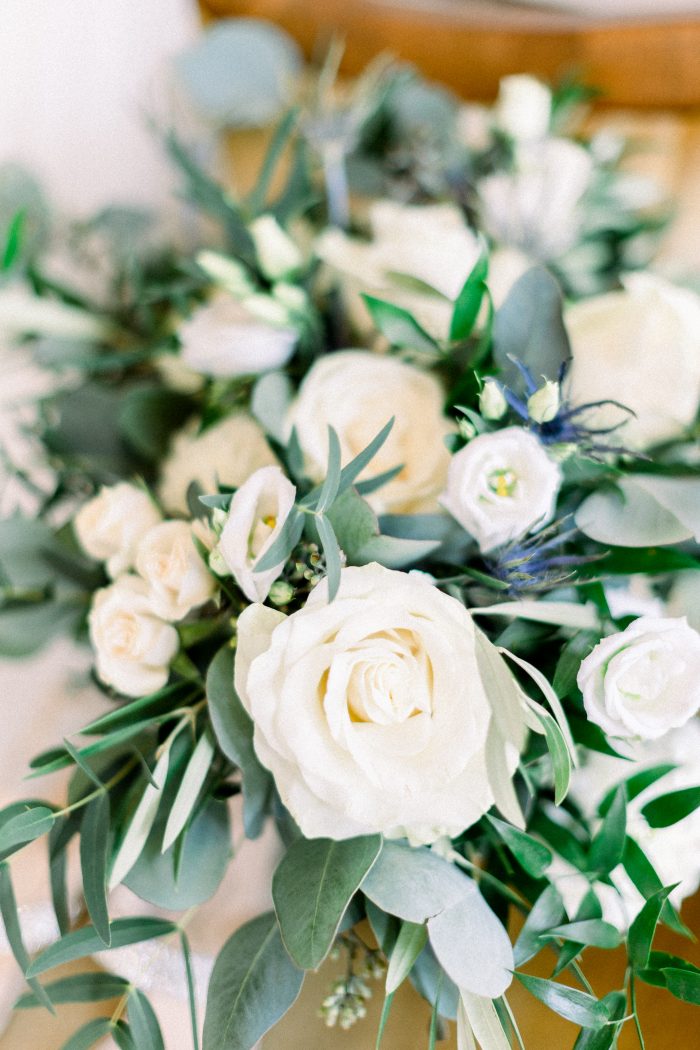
(111, 527)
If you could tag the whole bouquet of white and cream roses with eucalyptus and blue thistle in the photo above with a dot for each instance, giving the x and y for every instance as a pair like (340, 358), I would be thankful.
(397, 543)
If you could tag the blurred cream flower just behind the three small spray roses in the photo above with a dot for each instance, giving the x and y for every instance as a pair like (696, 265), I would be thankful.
(227, 454)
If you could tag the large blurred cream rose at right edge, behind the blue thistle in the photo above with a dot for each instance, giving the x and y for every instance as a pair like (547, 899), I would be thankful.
(640, 347)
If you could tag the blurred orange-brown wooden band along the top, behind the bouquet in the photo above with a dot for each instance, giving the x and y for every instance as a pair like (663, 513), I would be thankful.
(471, 46)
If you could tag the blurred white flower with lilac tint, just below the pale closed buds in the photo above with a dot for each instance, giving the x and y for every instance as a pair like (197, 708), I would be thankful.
(226, 338)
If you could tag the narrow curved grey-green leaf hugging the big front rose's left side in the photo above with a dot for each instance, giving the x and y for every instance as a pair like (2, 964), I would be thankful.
(234, 728)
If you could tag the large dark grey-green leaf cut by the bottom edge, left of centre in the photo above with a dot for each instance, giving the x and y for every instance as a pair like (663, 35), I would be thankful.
(253, 985)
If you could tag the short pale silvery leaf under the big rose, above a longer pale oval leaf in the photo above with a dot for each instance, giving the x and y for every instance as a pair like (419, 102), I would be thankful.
(414, 884)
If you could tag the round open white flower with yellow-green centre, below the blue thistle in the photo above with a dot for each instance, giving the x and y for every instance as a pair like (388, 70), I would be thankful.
(501, 487)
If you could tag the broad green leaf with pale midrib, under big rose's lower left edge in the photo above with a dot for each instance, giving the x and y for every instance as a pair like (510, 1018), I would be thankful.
(312, 888)
